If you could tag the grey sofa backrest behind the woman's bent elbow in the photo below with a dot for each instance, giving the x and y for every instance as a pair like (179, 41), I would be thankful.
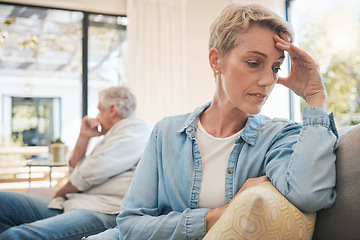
(342, 221)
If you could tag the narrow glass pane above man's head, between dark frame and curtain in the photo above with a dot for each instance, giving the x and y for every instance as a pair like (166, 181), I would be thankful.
(107, 41)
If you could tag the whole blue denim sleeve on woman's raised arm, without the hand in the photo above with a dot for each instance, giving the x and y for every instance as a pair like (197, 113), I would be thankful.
(301, 161)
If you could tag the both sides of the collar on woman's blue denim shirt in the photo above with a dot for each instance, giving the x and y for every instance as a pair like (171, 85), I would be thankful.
(249, 135)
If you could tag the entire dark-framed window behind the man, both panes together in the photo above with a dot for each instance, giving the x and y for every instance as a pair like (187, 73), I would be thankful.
(41, 65)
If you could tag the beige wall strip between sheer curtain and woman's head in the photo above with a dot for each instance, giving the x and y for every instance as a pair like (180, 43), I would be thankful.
(200, 14)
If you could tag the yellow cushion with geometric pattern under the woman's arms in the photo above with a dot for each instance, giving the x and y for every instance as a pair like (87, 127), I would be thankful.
(261, 212)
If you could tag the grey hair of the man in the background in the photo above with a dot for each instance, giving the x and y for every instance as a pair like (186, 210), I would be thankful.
(124, 100)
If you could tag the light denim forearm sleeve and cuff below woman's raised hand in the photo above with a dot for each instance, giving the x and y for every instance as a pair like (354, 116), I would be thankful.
(312, 172)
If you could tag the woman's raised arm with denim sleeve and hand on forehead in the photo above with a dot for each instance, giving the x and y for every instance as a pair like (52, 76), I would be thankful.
(302, 164)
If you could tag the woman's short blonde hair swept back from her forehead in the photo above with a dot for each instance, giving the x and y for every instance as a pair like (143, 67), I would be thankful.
(236, 19)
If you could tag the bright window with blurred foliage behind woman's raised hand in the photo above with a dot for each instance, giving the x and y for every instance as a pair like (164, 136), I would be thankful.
(330, 32)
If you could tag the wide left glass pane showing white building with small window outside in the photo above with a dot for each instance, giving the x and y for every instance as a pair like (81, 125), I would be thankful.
(40, 64)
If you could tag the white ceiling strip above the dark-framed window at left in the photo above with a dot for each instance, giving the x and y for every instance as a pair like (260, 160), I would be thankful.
(116, 7)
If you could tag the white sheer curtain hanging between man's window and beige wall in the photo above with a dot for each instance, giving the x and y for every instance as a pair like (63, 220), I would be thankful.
(156, 57)
